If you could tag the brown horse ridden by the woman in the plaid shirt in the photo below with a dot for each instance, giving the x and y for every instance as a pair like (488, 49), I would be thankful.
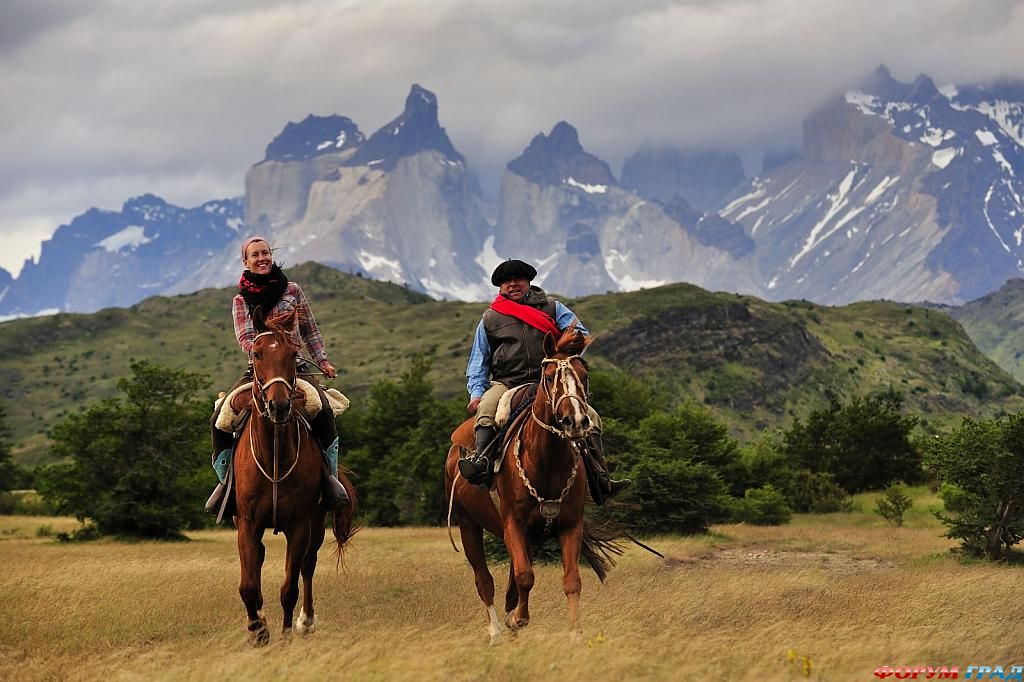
(278, 475)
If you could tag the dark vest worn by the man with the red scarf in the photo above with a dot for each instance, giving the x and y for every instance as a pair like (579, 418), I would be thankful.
(517, 349)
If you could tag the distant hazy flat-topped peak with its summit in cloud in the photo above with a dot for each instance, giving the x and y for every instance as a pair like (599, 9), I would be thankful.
(703, 177)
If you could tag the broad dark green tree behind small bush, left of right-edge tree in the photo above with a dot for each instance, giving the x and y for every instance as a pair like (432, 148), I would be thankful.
(865, 445)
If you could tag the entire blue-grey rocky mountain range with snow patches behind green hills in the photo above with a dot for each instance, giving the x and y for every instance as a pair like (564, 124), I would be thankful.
(901, 191)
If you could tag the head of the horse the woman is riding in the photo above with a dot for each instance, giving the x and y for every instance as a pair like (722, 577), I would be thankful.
(274, 368)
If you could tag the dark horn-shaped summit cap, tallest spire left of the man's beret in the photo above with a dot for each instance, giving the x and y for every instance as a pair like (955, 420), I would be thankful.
(416, 130)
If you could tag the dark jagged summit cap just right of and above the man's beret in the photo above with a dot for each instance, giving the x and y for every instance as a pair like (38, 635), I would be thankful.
(560, 159)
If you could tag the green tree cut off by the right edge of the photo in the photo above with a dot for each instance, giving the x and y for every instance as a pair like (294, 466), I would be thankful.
(982, 465)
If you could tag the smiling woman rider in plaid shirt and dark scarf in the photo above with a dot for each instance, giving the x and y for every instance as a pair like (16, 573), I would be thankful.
(266, 292)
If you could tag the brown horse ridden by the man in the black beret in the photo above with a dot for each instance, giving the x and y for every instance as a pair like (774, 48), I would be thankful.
(542, 489)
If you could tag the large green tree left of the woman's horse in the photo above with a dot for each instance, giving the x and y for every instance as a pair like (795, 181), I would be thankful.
(136, 465)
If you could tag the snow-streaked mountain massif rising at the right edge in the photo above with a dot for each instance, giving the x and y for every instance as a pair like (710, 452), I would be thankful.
(904, 192)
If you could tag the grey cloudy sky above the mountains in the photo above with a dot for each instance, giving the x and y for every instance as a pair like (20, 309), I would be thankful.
(105, 100)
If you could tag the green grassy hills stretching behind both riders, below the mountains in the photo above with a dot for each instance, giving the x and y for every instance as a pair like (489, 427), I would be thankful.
(756, 364)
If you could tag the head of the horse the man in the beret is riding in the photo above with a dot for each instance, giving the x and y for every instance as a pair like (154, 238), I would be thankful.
(564, 383)
